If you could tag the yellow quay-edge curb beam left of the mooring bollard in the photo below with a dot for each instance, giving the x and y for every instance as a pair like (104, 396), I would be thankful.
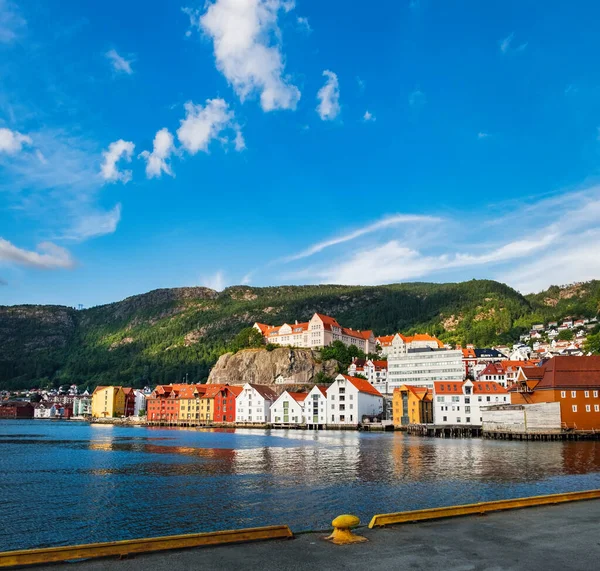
(131, 546)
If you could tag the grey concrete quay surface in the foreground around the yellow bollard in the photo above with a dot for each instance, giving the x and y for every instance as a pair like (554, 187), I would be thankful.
(561, 537)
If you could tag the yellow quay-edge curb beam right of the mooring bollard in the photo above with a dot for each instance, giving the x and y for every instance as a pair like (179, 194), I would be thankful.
(482, 507)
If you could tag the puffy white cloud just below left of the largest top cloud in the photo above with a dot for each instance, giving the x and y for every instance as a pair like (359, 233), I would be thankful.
(203, 124)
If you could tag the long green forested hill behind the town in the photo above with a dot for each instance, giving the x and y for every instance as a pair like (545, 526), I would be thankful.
(164, 335)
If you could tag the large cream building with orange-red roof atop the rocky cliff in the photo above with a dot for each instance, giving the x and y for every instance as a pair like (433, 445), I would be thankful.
(320, 331)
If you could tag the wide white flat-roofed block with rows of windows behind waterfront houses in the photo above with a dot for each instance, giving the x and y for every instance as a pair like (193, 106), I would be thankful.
(421, 368)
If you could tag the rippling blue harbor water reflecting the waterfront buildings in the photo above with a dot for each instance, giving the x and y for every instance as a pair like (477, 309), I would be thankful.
(63, 483)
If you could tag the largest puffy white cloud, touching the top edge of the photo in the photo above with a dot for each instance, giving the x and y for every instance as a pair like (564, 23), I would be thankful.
(247, 48)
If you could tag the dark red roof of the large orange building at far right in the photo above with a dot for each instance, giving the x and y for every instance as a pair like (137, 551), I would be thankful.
(571, 372)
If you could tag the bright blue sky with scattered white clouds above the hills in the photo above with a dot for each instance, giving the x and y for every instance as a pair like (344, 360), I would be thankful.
(161, 144)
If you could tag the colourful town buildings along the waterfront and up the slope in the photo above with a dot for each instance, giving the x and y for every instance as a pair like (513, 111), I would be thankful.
(540, 388)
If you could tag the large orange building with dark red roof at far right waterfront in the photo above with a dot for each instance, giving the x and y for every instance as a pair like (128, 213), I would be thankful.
(574, 382)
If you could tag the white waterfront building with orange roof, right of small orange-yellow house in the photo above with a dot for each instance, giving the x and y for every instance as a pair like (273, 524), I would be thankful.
(460, 403)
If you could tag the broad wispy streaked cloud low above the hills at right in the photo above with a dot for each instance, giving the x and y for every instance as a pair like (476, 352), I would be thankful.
(544, 252)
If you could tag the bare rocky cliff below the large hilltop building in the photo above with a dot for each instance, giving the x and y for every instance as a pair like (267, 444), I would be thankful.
(299, 366)
